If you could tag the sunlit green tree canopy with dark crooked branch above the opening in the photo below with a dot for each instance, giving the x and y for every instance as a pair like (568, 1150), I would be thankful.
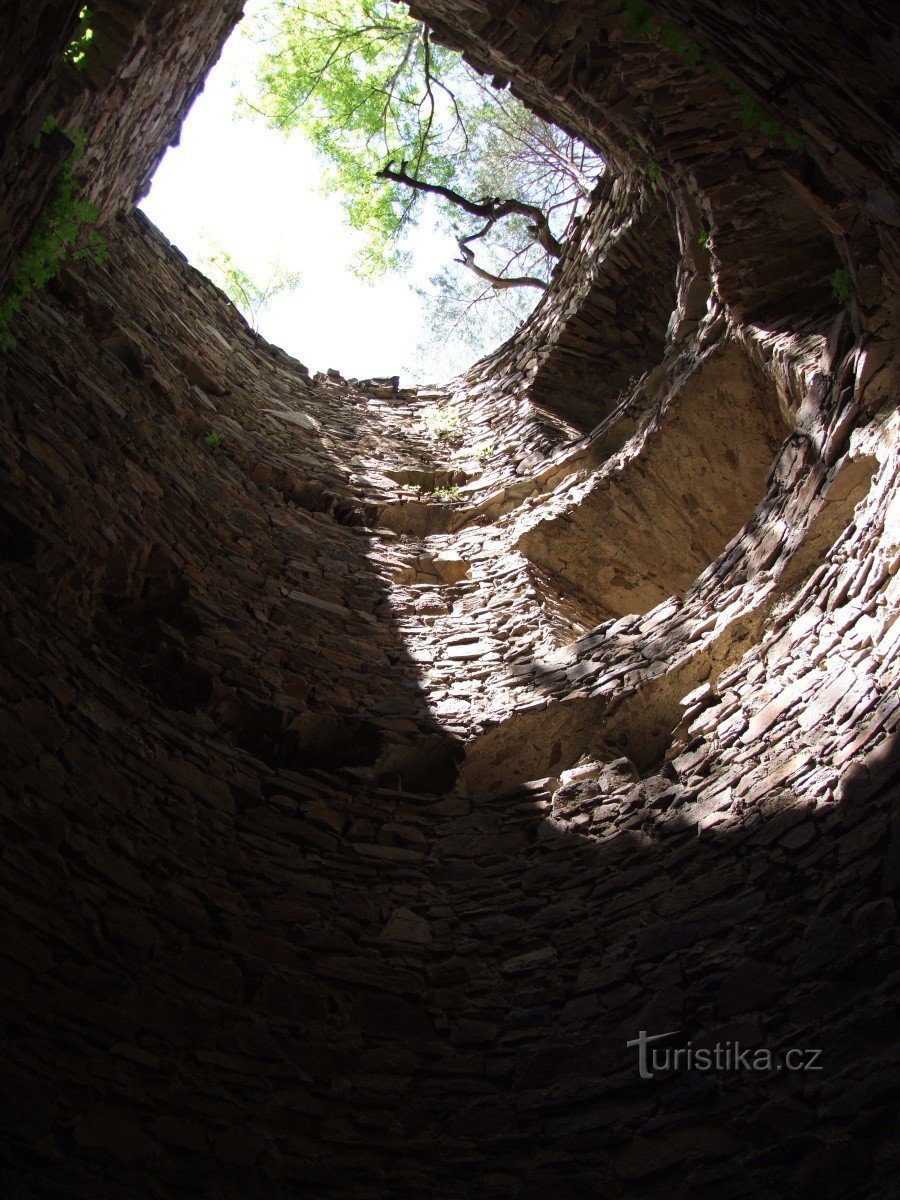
(407, 127)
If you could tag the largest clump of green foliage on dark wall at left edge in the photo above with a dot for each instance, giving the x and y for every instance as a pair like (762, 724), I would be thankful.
(63, 231)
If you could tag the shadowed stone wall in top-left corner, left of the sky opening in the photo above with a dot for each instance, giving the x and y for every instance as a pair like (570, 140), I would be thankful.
(145, 65)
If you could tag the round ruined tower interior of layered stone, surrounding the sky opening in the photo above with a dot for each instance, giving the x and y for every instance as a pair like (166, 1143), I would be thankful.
(351, 835)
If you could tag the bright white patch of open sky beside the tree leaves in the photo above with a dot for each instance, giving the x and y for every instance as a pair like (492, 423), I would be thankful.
(261, 197)
